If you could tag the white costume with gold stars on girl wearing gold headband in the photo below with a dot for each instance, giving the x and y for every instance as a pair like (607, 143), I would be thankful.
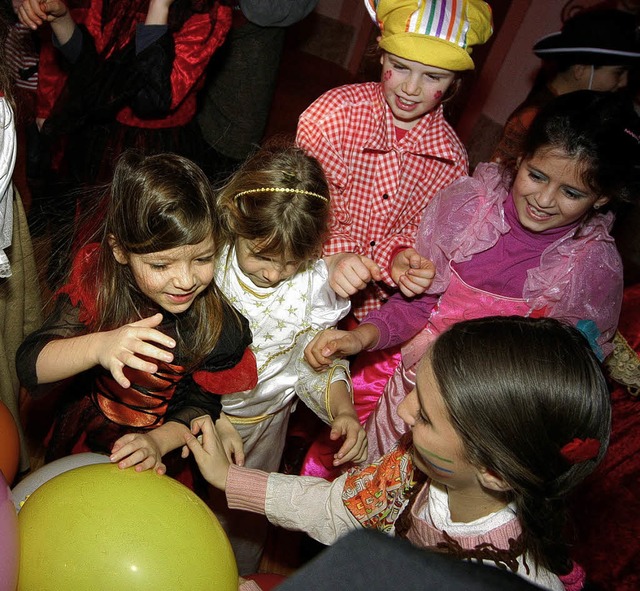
(283, 320)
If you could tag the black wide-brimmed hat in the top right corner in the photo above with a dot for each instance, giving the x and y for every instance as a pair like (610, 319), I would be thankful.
(594, 37)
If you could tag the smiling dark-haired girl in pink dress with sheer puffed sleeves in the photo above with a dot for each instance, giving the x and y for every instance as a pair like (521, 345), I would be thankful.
(533, 243)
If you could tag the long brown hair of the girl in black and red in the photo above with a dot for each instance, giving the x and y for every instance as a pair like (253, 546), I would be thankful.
(158, 203)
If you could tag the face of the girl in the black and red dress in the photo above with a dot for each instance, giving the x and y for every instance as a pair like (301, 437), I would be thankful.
(172, 278)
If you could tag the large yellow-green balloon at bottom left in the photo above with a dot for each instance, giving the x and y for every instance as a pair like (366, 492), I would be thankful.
(101, 528)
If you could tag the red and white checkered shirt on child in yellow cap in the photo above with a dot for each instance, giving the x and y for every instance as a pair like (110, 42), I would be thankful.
(379, 185)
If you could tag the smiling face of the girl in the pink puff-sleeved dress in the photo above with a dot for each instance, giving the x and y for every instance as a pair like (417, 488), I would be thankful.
(548, 191)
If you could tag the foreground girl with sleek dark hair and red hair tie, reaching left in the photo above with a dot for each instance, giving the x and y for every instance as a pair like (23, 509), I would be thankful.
(508, 415)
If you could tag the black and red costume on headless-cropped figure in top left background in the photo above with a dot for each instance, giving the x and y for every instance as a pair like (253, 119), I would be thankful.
(117, 84)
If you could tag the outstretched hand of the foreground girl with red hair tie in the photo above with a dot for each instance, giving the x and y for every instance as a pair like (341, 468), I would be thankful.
(210, 454)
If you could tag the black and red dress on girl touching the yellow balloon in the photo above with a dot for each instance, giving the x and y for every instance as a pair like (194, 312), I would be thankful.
(93, 410)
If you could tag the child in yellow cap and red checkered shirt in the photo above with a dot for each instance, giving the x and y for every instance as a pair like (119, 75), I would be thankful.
(386, 149)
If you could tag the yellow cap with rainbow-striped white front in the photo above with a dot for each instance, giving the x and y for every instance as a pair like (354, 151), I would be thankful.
(437, 33)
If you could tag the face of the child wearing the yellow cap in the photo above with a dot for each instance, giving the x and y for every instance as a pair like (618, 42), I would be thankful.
(412, 89)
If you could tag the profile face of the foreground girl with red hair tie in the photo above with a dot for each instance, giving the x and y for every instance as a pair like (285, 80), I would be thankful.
(439, 451)
